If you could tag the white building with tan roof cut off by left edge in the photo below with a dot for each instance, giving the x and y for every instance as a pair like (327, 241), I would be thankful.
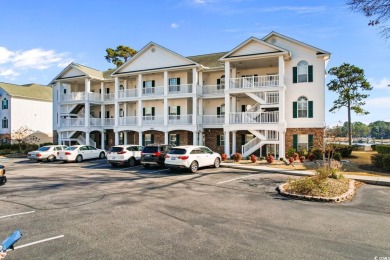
(26, 105)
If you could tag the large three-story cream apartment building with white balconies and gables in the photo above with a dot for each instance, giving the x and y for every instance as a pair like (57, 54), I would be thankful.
(264, 96)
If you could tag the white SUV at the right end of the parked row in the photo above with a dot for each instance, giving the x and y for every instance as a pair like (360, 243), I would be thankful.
(191, 157)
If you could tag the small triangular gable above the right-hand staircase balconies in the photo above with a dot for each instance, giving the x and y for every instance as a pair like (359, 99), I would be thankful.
(261, 48)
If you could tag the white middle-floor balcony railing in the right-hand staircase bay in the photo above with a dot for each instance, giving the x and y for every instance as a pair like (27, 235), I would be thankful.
(254, 117)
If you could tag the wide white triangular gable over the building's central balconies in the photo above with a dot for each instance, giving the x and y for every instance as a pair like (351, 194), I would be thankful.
(149, 63)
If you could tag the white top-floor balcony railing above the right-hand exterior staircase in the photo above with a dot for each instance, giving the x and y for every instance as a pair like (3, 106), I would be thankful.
(254, 82)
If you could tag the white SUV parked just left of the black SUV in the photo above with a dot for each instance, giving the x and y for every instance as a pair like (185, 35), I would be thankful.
(124, 155)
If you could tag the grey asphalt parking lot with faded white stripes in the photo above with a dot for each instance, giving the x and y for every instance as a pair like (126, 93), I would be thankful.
(90, 210)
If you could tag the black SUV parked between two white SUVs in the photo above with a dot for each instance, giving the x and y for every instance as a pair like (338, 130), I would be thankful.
(154, 154)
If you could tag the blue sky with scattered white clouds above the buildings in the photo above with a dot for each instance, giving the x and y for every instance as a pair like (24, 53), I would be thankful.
(38, 39)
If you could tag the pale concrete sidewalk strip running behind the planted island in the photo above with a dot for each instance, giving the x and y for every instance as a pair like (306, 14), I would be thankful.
(375, 180)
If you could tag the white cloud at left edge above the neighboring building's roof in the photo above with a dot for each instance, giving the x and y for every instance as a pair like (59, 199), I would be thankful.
(14, 63)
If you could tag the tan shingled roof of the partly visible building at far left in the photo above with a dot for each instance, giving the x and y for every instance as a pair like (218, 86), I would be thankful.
(31, 91)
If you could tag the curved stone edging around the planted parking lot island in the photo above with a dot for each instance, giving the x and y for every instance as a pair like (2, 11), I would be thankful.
(347, 195)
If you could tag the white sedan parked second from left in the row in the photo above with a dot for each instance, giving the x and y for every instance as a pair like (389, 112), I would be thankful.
(78, 153)
